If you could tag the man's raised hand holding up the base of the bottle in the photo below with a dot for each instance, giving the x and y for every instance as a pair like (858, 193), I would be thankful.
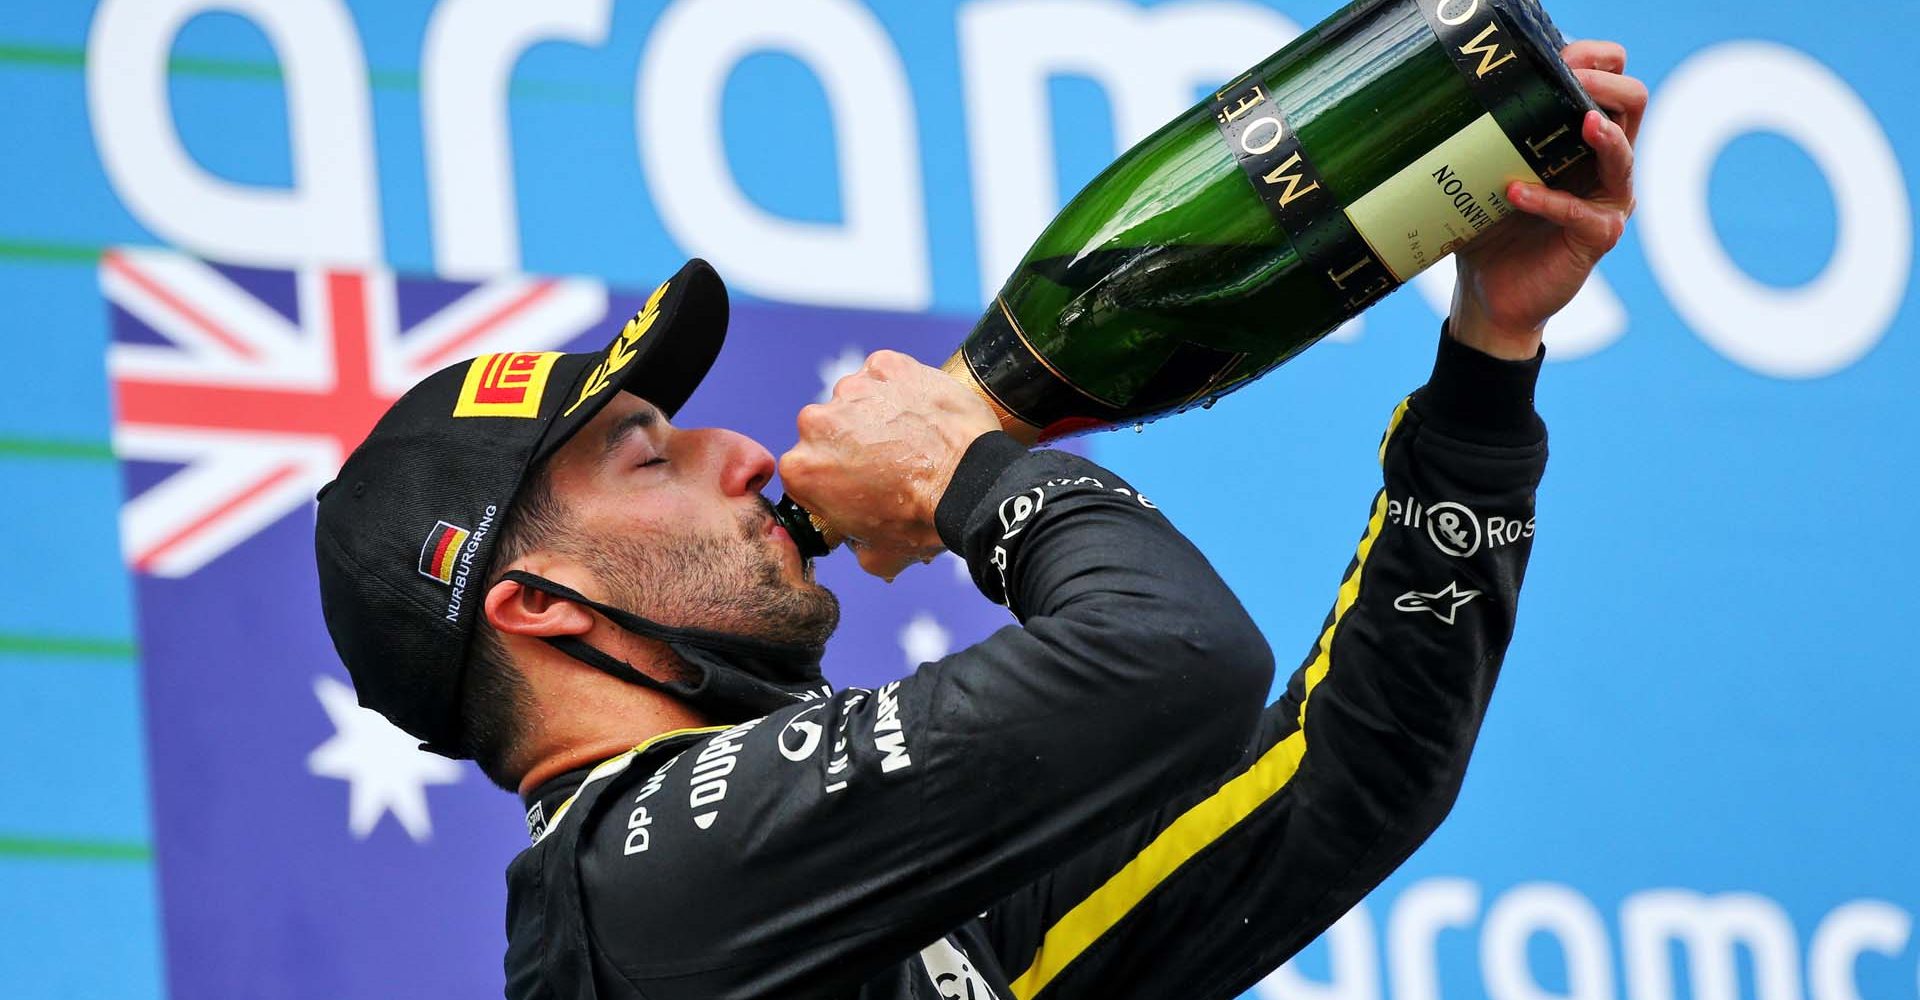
(1514, 281)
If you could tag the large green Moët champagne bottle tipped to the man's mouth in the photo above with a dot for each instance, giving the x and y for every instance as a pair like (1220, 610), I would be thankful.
(1291, 201)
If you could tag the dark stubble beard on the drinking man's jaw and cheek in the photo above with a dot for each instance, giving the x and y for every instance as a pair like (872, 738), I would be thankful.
(725, 583)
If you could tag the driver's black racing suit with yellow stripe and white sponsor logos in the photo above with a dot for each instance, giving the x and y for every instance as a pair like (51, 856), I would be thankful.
(1090, 805)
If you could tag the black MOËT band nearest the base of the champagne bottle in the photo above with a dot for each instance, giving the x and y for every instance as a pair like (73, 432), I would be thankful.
(1506, 72)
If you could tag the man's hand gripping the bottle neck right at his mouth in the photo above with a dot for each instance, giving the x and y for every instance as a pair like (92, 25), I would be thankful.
(875, 462)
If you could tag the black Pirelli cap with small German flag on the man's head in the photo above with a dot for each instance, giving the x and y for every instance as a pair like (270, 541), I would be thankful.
(408, 529)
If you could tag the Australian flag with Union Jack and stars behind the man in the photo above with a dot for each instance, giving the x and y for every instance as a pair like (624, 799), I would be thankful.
(306, 847)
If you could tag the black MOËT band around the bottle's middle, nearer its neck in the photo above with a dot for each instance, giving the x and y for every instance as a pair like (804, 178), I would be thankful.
(1297, 197)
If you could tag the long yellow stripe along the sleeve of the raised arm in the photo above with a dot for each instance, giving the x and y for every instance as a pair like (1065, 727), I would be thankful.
(1209, 821)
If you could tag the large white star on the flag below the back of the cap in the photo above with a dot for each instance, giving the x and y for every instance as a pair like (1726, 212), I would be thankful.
(385, 769)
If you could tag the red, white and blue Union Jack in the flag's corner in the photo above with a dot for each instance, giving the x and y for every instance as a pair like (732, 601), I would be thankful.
(256, 385)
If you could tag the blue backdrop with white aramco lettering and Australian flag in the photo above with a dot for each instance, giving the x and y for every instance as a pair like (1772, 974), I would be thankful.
(1698, 776)
